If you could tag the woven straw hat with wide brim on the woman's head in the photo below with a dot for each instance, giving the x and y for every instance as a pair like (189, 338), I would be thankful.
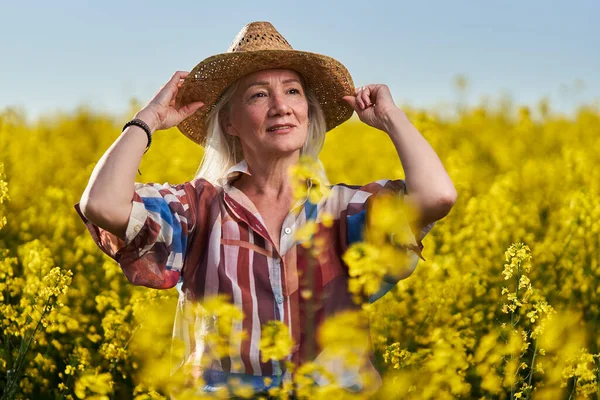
(256, 47)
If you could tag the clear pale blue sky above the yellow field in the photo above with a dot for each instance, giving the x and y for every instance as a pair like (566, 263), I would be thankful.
(58, 55)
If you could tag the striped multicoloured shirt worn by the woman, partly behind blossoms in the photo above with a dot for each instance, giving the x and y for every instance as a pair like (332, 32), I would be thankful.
(209, 239)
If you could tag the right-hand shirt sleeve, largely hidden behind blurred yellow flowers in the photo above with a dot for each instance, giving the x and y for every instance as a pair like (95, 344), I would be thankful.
(354, 218)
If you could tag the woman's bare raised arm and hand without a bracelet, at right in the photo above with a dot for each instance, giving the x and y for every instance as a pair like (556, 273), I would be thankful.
(428, 186)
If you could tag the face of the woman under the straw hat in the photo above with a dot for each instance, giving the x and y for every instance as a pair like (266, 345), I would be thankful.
(269, 113)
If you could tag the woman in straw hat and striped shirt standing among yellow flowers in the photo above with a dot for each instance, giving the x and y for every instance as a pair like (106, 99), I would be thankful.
(230, 230)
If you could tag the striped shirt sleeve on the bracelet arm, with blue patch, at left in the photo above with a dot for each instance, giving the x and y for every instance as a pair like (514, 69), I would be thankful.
(162, 220)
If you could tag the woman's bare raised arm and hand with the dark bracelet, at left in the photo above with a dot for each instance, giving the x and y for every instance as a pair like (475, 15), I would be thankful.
(106, 201)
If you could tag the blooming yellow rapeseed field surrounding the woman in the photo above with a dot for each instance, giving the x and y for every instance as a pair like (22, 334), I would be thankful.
(506, 305)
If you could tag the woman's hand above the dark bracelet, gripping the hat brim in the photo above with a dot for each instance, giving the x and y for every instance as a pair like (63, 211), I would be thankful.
(160, 112)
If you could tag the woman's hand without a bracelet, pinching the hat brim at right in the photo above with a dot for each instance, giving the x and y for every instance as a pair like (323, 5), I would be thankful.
(374, 105)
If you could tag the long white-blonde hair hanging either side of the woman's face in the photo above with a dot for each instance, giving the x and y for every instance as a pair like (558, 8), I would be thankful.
(222, 151)
